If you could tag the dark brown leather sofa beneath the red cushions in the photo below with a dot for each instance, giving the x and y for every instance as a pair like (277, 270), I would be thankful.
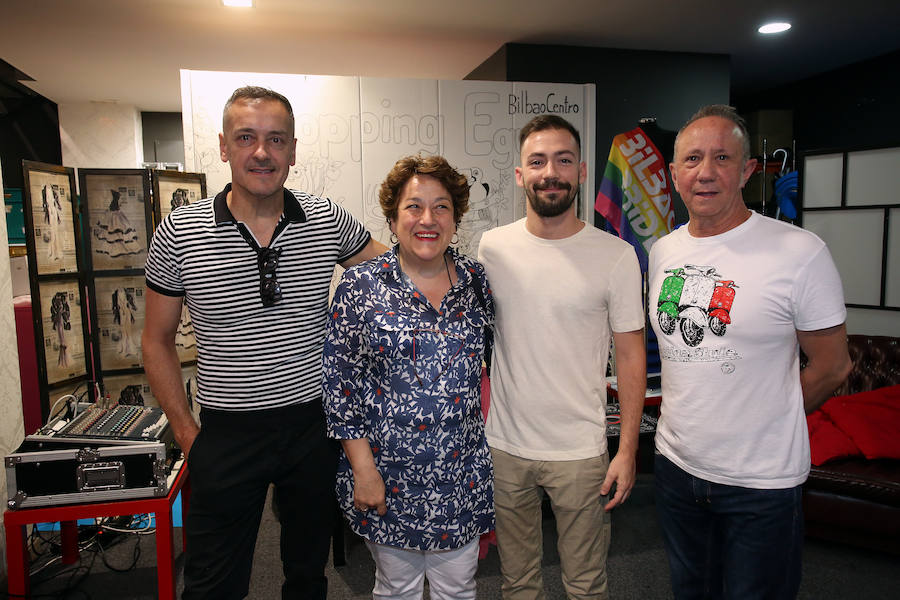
(856, 500)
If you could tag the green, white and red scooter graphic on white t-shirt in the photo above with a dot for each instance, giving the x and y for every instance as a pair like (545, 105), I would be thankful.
(694, 298)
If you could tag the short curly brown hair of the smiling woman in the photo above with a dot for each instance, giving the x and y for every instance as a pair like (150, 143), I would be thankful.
(435, 166)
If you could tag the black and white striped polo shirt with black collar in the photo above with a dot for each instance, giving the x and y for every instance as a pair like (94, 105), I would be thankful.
(251, 356)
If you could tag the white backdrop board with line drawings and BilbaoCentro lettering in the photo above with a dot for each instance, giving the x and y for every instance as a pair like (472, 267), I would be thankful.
(351, 130)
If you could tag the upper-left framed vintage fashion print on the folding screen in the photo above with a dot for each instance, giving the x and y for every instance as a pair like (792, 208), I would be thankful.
(52, 234)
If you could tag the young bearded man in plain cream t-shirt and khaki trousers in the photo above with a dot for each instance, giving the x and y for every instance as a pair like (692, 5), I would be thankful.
(561, 288)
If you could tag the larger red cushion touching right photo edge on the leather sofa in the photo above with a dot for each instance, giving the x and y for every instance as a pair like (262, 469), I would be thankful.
(870, 419)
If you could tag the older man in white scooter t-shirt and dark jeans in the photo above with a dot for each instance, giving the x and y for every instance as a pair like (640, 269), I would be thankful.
(733, 296)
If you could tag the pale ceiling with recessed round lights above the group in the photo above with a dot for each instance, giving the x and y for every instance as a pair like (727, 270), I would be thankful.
(130, 51)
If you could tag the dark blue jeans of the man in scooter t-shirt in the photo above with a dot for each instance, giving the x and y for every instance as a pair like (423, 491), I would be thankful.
(728, 542)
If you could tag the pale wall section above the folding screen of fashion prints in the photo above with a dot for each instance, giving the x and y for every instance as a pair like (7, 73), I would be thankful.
(101, 135)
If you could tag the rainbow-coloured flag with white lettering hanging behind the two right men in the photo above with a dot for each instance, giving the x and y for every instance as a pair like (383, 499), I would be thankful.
(634, 194)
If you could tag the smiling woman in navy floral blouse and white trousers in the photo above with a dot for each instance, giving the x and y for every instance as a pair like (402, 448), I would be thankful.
(402, 366)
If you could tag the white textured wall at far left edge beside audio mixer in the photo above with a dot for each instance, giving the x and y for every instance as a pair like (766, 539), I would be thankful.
(12, 427)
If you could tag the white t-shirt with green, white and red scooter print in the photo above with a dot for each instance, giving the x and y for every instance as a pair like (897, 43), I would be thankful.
(726, 309)
